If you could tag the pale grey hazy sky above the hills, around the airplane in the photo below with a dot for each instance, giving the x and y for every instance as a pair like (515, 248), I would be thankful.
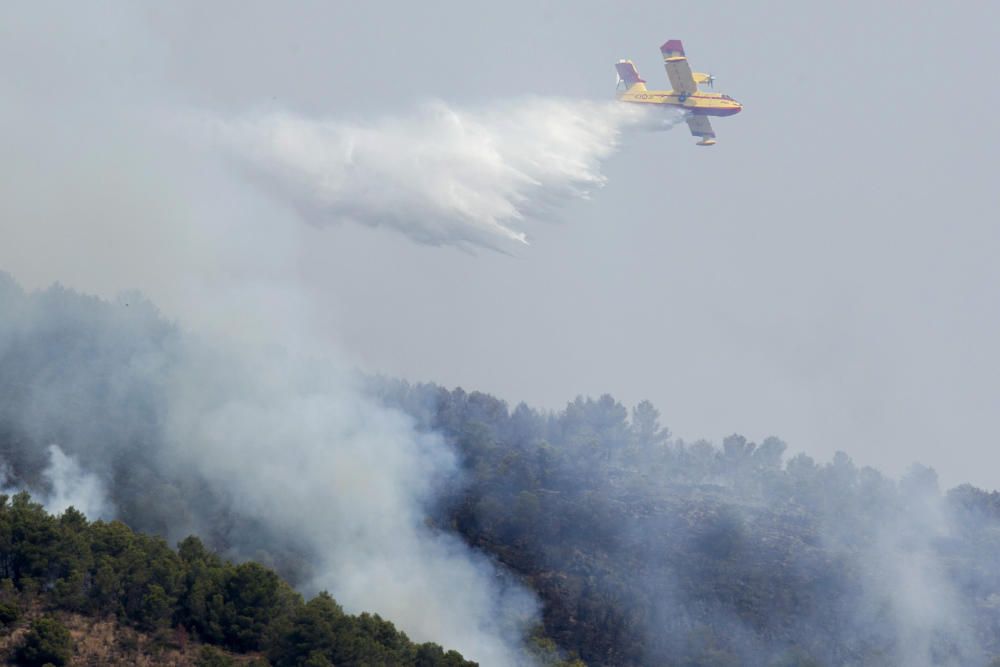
(827, 273)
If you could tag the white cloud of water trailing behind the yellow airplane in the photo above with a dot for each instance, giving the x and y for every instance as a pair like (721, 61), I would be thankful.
(441, 175)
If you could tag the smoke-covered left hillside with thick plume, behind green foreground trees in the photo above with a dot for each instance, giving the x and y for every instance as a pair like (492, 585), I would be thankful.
(264, 454)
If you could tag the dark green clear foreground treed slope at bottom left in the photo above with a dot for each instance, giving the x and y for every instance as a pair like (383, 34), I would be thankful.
(54, 570)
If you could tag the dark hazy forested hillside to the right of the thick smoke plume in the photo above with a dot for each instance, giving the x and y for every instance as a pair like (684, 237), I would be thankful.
(649, 550)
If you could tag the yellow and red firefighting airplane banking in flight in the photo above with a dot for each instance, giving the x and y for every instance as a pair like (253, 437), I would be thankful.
(685, 95)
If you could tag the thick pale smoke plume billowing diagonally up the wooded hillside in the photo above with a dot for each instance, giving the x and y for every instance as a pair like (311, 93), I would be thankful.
(296, 445)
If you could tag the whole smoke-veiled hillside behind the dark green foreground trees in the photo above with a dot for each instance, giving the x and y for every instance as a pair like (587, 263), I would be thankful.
(641, 548)
